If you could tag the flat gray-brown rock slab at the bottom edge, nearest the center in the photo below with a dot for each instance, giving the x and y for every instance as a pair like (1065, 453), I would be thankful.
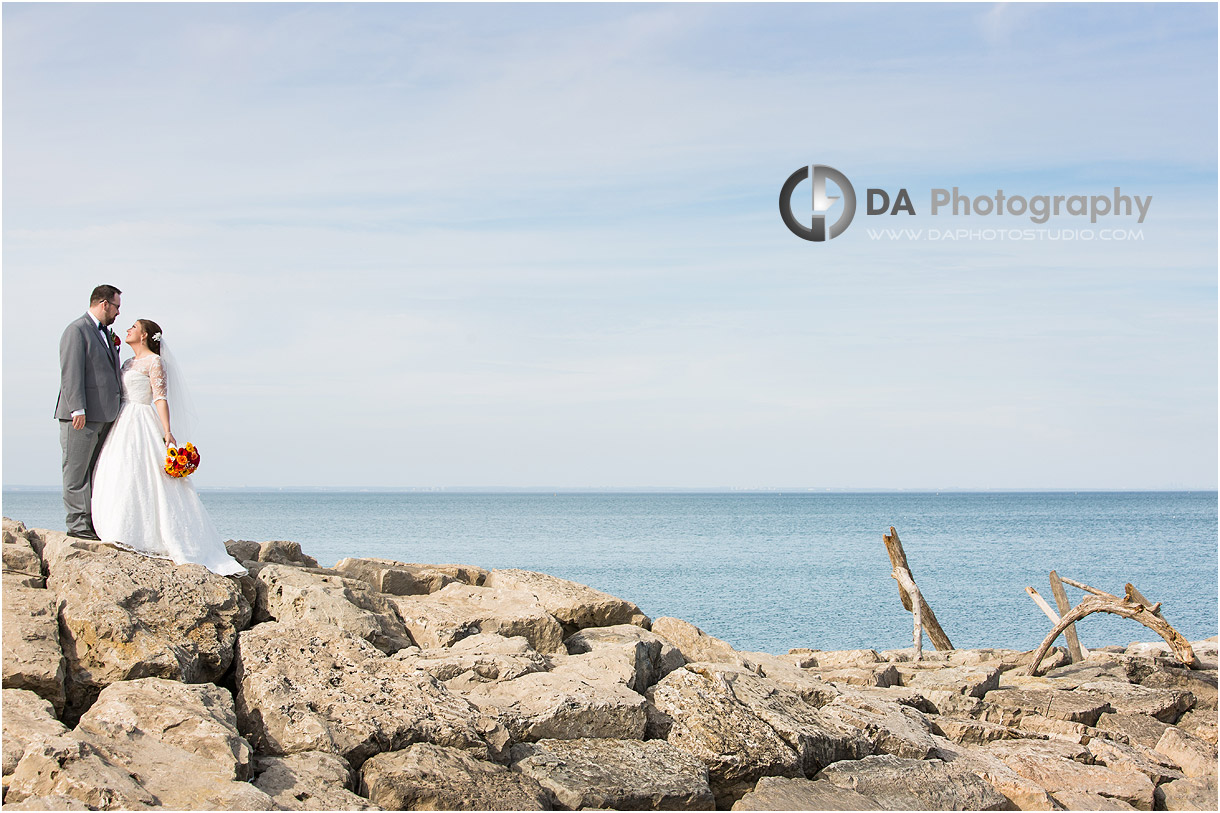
(617, 775)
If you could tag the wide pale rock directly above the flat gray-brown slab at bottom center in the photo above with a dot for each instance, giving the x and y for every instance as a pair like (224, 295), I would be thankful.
(562, 705)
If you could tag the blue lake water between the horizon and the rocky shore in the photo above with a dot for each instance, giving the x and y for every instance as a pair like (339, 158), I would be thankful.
(774, 572)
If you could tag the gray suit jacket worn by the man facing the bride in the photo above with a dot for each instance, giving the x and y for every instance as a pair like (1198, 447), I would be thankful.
(90, 378)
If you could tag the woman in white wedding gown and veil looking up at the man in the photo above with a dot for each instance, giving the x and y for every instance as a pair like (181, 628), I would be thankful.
(136, 504)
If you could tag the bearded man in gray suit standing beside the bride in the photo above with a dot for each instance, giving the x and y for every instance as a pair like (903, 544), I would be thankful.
(88, 405)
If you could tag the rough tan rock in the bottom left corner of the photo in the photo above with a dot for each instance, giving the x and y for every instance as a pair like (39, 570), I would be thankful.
(69, 767)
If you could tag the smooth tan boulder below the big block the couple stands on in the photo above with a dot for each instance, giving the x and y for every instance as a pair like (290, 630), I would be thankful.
(180, 740)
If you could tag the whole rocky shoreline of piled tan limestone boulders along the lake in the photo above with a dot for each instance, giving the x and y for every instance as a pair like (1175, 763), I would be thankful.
(132, 684)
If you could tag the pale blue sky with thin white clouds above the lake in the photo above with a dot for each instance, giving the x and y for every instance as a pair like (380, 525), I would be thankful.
(540, 246)
